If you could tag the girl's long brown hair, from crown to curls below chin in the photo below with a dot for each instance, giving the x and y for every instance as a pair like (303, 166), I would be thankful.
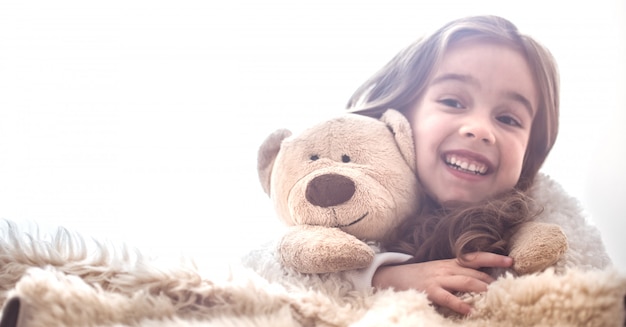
(448, 232)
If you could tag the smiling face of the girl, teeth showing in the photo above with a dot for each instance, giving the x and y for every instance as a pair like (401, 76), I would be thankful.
(472, 124)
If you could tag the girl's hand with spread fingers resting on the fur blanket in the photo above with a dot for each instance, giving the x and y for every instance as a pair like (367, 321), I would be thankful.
(440, 278)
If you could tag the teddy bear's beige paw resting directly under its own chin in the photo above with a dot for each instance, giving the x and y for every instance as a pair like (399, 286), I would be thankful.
(318, 249)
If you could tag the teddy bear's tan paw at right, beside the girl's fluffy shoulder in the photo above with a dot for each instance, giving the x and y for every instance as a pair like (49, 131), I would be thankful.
(537, 246)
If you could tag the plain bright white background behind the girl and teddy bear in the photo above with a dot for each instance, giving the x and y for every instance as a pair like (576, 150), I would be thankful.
(139, 121)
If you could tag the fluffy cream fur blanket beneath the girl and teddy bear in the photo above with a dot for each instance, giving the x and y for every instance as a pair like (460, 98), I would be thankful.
(54, 281)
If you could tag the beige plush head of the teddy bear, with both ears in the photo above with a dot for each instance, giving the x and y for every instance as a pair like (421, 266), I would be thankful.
(352, 172)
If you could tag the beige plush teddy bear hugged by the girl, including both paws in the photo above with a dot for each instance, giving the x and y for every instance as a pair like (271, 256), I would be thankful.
(345, 183)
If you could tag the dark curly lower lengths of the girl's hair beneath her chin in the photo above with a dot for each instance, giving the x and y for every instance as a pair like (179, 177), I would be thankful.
(457, 229)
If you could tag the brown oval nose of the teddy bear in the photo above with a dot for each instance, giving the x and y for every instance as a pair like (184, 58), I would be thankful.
(329, 190)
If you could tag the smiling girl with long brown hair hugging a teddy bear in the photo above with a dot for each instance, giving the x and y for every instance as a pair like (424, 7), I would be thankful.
(482, 100)
